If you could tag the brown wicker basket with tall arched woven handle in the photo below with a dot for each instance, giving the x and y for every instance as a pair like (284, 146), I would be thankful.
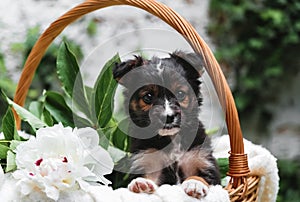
(242, 186)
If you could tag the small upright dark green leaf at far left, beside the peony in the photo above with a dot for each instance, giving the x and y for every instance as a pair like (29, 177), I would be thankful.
(9, 126)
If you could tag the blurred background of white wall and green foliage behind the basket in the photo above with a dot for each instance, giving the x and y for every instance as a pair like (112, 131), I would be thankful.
(257, 44)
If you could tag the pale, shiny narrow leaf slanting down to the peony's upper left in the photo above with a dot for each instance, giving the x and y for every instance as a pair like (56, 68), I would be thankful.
(27, 116)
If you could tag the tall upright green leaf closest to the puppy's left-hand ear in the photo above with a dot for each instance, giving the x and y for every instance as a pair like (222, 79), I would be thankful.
(104, 92)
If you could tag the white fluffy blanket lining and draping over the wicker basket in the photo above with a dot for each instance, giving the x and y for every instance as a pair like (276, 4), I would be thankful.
(261, 163)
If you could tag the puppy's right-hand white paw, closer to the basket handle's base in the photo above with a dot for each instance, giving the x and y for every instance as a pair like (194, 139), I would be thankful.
(195, 188)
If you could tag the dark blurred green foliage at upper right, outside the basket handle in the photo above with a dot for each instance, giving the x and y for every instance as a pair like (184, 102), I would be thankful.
(258, 41)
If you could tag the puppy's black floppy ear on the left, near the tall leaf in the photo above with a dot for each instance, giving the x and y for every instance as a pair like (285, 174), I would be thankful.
(123, 68)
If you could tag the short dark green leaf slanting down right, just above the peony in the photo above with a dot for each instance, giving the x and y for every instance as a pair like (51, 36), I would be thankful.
(58, 108)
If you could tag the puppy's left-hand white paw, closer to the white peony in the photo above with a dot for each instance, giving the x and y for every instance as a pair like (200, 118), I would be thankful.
(142, 185)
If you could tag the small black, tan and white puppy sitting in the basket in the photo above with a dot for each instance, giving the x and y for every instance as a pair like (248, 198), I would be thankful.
(168, 142)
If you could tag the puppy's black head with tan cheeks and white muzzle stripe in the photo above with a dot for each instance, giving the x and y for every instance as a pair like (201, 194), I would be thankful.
(162, 94)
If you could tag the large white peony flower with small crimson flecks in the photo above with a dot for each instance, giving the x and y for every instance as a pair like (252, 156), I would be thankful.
(61, 159)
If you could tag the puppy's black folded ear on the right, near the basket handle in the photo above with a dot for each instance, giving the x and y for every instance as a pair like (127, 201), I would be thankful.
(192, 62)
